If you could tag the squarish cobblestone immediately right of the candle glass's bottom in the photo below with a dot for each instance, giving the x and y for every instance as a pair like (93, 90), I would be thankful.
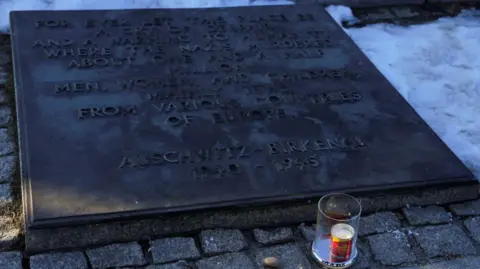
(391, 248)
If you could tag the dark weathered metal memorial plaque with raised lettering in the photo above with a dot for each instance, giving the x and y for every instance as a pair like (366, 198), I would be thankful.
(142, 112)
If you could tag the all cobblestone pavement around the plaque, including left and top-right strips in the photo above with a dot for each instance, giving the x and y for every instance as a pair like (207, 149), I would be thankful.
(431, 237)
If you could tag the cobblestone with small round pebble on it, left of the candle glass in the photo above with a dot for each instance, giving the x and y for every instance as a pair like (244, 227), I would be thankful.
(290, 256)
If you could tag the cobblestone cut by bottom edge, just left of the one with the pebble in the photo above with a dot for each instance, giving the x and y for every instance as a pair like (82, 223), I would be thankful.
(226, 261)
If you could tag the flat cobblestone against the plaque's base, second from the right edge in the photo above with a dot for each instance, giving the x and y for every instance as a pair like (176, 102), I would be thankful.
(427, 215)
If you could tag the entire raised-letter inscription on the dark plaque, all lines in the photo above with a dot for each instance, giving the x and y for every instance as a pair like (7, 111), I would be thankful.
(212, 71)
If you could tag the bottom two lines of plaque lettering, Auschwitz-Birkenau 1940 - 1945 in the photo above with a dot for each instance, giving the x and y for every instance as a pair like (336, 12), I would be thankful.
(219, 162)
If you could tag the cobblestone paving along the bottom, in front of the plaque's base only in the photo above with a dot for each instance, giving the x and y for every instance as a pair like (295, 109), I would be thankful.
(439, 237)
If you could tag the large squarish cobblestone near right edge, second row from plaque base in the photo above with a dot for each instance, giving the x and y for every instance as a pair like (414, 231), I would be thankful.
(444, 240)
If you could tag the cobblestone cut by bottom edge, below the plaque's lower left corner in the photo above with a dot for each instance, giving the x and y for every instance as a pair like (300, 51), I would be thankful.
(70, 260)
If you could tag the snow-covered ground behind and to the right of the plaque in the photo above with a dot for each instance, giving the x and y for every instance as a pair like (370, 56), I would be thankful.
(435, 66)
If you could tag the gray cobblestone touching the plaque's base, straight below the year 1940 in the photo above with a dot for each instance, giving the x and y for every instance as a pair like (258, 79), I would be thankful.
(219, 241)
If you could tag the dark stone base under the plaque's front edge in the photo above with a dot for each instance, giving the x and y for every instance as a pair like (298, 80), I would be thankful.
(41, 240)
